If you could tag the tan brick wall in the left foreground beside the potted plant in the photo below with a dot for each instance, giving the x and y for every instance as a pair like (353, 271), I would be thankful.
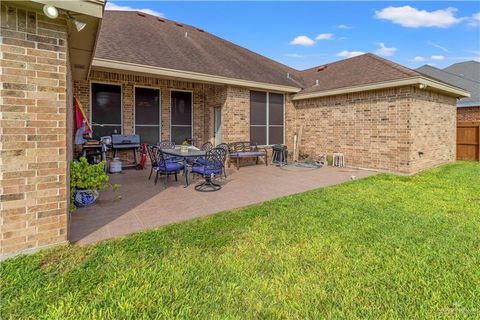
(33, 153)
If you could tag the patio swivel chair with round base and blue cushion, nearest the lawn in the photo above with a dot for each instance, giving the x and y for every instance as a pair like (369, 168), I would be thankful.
(212, 167)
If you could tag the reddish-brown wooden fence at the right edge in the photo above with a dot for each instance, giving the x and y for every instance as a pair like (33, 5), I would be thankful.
(468, 141)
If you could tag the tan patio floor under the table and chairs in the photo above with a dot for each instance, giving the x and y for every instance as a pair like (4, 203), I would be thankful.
(144, 205)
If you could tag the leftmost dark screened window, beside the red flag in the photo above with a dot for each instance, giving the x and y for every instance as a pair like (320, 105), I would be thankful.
(106, 109)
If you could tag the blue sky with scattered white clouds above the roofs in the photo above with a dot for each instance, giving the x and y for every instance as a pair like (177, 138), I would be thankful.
(307, 34)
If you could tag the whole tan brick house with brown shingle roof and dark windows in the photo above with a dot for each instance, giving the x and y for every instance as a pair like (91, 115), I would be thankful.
(186, 83)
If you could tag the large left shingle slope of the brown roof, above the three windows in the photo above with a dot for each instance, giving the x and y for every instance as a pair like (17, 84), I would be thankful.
(148, 40)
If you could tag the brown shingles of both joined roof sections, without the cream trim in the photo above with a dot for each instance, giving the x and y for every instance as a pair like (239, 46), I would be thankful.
(144, 39)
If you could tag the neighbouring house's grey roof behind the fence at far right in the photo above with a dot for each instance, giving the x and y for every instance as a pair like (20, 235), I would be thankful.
(456, 80)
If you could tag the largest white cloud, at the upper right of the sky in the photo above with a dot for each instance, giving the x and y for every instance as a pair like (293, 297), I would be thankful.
(410, 17)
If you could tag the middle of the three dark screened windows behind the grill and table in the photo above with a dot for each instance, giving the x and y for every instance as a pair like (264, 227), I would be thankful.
(147, 115)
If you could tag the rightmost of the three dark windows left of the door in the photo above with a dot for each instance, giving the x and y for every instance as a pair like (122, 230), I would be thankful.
(181, 116)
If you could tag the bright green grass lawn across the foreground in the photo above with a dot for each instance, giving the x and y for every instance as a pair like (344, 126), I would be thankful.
(382, 247)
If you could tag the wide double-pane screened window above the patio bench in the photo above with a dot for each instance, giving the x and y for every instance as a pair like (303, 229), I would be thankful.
(266, 118)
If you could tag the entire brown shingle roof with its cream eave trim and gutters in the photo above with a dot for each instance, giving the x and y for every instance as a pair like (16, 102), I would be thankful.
(142, 43)
